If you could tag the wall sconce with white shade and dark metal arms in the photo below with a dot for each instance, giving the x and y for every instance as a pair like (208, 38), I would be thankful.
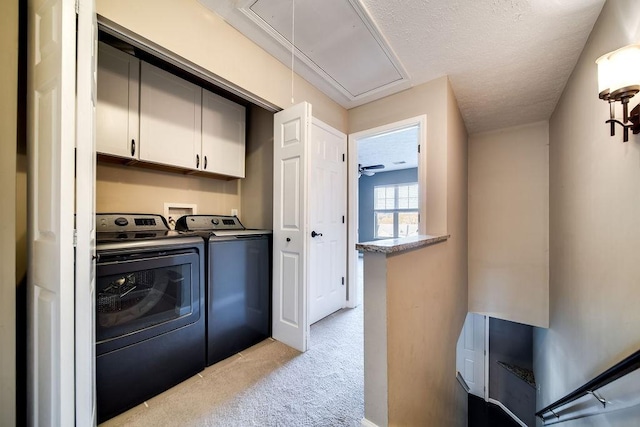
(619, 80)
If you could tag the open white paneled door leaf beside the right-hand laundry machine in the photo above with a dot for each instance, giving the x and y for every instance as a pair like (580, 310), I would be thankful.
(291, 135)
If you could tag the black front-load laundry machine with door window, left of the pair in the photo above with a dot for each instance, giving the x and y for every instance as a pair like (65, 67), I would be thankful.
(150, 321)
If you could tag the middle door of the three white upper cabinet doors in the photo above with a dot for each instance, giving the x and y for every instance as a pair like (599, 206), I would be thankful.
(170, 119)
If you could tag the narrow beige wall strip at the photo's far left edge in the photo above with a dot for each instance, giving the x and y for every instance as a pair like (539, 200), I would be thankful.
(8, 138)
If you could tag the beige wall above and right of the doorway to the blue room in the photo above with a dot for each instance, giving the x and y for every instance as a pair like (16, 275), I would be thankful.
(430, 99)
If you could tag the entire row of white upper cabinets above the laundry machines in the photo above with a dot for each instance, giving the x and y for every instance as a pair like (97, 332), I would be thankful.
(145, 113)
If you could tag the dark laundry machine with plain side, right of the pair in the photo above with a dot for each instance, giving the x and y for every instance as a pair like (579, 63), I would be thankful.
(238, 286)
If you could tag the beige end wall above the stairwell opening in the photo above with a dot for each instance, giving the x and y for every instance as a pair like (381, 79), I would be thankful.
(509, 224)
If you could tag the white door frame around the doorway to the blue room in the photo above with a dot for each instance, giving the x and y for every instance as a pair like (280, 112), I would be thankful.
(352, 191)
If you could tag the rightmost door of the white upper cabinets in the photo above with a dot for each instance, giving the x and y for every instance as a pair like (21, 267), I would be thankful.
(223, 135)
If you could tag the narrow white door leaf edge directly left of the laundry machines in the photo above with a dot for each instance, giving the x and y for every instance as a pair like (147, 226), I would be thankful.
(86, 414)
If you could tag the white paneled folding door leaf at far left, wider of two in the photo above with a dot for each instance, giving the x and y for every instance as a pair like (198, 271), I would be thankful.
(51, 84)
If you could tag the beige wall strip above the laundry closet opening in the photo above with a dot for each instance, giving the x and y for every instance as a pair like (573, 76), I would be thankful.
(190, 30)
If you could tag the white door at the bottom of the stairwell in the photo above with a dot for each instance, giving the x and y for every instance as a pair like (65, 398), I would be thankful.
(471, 353)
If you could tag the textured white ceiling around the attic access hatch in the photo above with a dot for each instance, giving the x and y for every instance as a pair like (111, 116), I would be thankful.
(507, 60)
